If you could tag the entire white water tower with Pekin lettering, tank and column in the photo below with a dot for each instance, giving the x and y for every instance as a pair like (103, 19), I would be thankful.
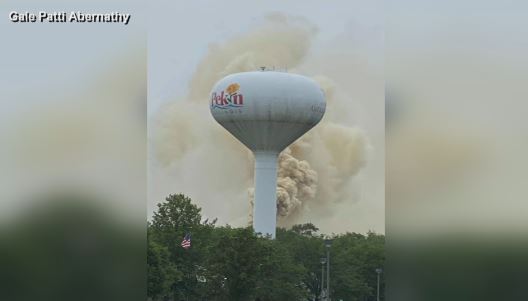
(266, 111)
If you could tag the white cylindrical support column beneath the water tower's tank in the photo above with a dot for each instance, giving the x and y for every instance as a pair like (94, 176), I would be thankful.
(265, 202)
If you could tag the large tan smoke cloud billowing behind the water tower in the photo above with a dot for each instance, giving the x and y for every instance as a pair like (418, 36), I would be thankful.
(313, 172)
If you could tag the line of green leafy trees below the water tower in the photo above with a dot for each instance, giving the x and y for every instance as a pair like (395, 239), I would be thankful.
(226, 263)
